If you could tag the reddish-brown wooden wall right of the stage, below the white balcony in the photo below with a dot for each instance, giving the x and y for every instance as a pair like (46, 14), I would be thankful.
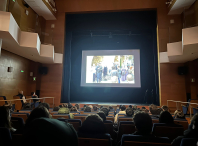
(172, 85)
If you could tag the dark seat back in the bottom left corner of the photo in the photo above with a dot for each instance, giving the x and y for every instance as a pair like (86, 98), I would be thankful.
(5, 136)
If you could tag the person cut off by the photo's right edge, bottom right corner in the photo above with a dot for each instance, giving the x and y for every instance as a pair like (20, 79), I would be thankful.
(190, 133)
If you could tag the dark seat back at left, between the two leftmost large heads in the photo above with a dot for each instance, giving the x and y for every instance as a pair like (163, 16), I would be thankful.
(17, 123)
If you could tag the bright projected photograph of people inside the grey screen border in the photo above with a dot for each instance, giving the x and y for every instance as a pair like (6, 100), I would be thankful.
(110, 69)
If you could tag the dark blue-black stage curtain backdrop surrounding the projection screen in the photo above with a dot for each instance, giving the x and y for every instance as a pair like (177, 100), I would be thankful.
(111, 31)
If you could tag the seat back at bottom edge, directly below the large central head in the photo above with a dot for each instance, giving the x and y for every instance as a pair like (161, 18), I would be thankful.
(94, 139)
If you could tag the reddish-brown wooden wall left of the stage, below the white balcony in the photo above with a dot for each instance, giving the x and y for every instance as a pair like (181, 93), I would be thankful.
(52, 82)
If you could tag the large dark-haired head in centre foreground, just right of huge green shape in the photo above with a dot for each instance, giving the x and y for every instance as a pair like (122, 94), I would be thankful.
(93, 124)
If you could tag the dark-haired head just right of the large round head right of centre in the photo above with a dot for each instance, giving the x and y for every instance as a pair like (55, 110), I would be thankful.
(166, 117)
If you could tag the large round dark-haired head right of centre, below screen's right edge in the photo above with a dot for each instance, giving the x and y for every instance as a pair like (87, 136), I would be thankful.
(143, 123)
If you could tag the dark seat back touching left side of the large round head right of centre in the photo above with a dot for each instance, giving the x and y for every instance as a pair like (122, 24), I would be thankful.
(125, 127)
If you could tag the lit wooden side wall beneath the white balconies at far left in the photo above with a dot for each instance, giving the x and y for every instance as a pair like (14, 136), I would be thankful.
(11, 82)
